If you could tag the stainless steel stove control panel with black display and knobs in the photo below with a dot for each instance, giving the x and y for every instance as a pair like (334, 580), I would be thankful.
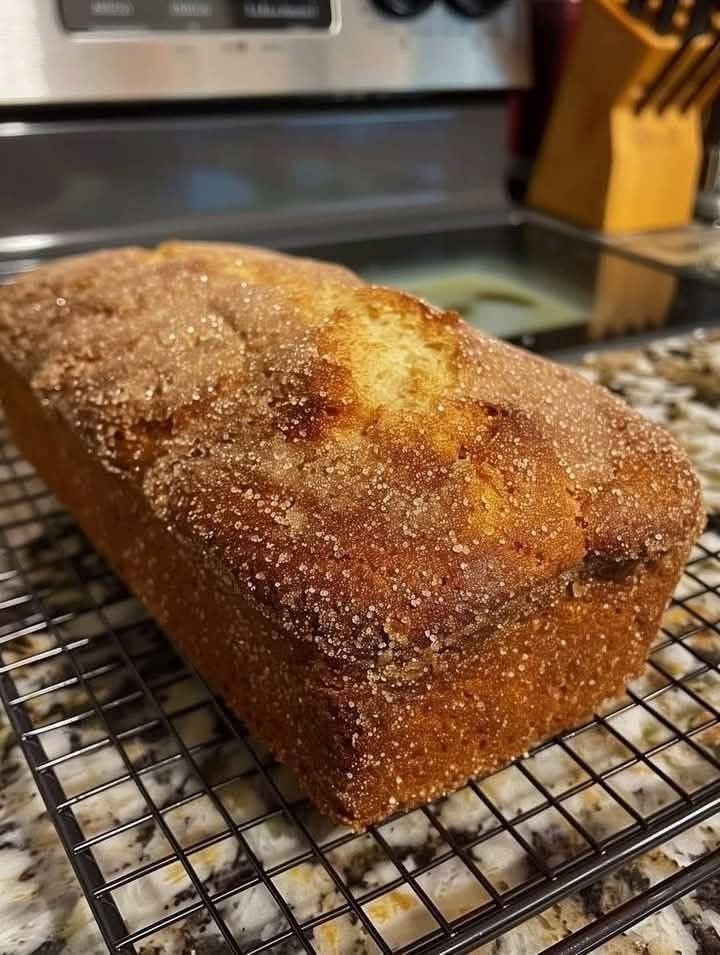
(73, 51)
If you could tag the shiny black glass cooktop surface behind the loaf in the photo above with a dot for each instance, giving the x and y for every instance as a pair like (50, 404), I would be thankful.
(550, 290)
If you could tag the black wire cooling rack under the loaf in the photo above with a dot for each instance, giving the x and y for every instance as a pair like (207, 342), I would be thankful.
(186, 835)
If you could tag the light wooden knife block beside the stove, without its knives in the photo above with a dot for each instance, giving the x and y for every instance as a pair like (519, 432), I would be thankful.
(604, 163)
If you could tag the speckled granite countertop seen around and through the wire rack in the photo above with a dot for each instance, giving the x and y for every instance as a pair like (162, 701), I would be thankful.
(42, 910)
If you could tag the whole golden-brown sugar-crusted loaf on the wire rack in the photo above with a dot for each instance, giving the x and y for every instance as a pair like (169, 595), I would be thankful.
(402, 551)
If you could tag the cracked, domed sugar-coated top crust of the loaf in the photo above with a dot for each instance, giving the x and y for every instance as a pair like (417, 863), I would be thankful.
(370, 472)
